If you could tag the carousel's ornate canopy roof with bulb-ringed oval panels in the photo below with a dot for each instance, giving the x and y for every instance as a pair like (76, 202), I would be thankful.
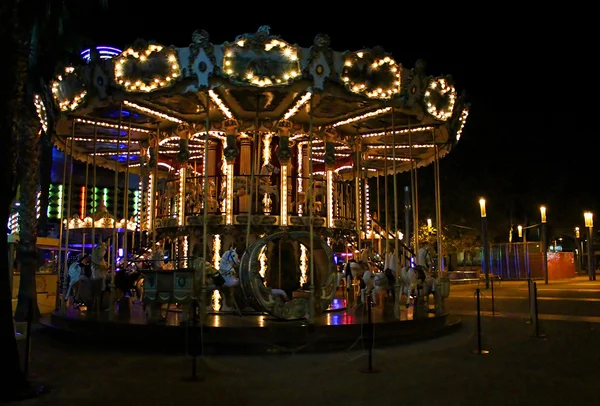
(150, 90)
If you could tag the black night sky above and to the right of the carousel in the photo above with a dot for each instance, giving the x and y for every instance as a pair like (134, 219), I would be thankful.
(528, 140)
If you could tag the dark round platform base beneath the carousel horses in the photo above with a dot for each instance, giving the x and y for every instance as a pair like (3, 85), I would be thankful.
(227, 333)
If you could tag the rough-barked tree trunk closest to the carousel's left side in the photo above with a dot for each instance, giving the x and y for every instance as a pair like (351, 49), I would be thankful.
(43, 46)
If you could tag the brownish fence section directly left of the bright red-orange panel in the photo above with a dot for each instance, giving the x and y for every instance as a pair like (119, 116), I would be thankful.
(517, 260)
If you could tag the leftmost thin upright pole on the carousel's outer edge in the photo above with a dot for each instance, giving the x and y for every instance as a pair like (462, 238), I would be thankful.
(65, 222)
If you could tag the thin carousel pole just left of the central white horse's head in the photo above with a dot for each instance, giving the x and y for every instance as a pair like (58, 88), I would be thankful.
(205, 261)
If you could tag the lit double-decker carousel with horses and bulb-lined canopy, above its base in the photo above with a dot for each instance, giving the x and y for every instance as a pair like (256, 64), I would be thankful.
(252, 162)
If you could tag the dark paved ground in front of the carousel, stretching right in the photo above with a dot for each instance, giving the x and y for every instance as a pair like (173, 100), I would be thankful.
(561, 369)
